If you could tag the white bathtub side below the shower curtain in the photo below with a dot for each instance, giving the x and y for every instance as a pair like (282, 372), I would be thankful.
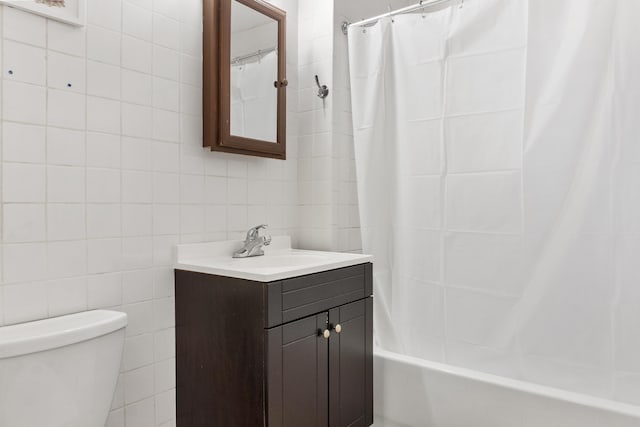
(418, 393)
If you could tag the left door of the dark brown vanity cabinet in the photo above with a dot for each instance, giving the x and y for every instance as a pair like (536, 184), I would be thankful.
(298, 361)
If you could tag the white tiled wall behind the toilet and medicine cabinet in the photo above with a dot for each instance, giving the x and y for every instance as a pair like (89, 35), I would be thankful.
(103, 172)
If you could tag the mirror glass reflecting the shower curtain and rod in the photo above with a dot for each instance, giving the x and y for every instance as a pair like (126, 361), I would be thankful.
(254, 69)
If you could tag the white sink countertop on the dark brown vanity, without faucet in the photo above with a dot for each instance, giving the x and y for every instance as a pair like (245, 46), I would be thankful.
(279, 262)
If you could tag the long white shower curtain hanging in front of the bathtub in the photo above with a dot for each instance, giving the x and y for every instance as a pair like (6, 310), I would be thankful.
(498, 163)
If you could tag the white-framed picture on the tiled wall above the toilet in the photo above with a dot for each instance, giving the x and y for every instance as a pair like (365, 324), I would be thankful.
(72, 12)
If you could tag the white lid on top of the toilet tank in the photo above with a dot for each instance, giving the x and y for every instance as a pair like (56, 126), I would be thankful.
(47, 334)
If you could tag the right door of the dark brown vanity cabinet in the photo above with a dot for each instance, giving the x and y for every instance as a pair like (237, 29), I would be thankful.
(351, 365)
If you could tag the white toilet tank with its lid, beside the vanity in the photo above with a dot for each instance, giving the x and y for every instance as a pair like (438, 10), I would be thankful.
(60, 372)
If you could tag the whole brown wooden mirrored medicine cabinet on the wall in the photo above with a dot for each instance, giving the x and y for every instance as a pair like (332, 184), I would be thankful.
(244, 81)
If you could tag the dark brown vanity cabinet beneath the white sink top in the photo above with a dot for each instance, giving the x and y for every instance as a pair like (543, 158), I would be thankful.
(293, 353)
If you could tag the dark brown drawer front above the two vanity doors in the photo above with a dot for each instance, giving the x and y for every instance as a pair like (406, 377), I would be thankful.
(306, 295)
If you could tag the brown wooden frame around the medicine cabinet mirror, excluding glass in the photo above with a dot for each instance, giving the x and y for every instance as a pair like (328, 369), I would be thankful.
(216, 80)
